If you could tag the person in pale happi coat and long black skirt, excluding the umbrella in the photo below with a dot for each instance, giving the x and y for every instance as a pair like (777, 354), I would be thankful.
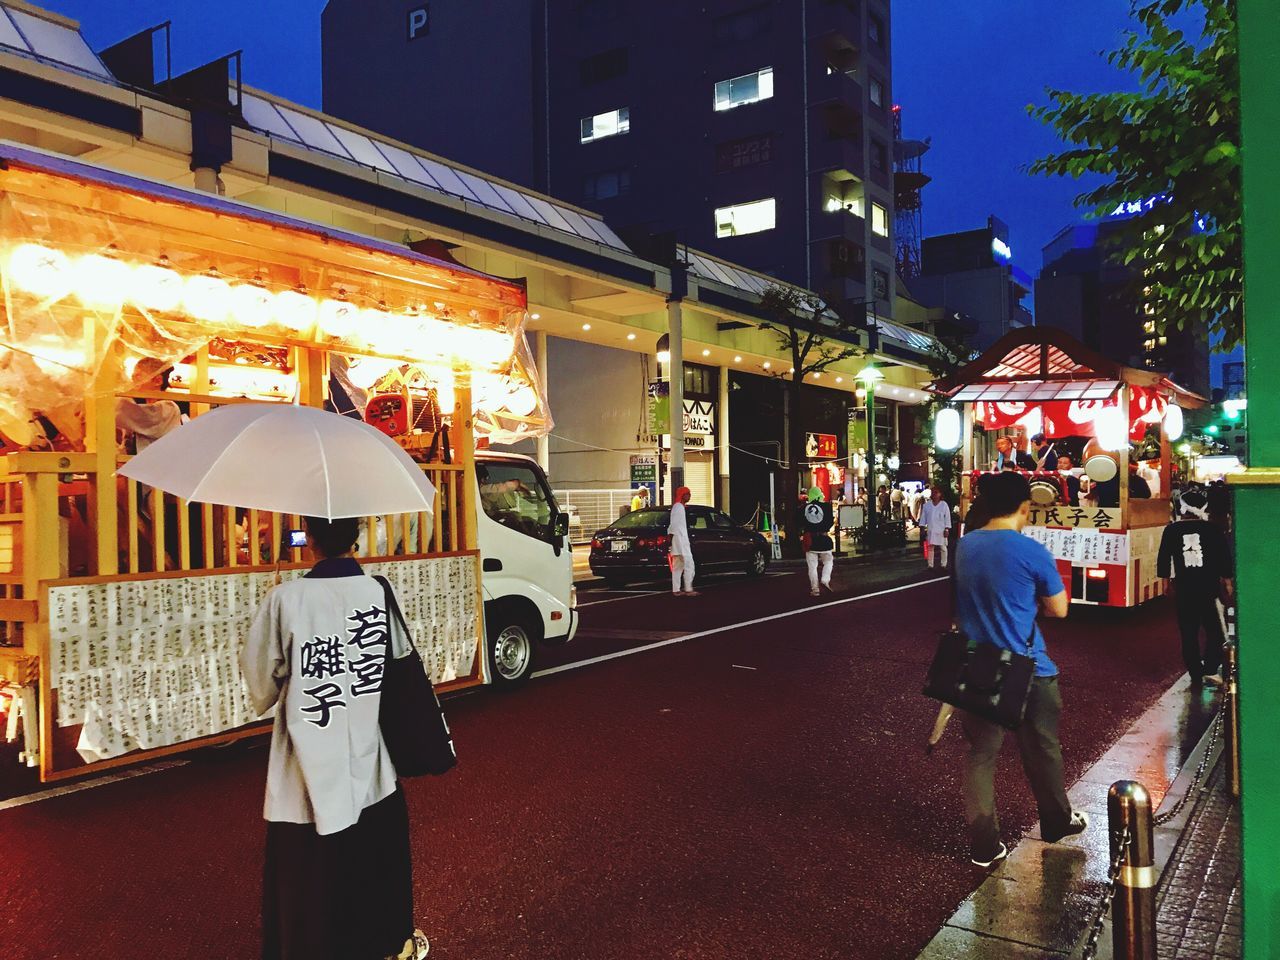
(339, 872)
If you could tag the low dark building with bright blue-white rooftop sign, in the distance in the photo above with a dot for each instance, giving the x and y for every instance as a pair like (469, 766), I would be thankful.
(973, 275)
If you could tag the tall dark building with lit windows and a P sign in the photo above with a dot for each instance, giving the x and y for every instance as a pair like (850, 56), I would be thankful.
(760, 131)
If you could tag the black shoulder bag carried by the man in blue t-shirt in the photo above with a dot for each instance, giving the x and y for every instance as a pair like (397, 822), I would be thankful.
(982, 679)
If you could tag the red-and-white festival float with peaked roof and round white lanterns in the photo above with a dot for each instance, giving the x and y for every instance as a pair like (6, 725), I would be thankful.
(1103, 527)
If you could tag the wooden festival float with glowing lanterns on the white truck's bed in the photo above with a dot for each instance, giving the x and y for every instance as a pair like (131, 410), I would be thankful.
(130, 305)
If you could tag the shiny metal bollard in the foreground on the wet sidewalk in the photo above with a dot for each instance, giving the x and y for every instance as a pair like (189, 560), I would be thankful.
(1133, 913)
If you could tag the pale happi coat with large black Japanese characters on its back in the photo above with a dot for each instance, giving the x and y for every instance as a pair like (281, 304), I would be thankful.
(317, 651)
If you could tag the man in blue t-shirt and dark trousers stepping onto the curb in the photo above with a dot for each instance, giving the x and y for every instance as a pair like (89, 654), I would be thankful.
(1003, 580)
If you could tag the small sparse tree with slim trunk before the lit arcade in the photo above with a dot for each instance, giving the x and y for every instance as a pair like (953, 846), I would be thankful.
(813, 337)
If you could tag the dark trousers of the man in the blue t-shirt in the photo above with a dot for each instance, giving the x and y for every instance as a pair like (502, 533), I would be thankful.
(1043, 762)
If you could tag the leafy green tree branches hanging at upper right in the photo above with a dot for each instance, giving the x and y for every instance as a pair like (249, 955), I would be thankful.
(1171, 154)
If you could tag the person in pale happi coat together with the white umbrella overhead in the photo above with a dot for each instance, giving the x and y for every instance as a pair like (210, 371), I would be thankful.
(339, 874)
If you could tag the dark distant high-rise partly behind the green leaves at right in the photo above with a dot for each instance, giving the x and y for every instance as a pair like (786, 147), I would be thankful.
(1087, 291)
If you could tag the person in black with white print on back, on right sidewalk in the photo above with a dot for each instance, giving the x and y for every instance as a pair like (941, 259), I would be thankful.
(1196, 554)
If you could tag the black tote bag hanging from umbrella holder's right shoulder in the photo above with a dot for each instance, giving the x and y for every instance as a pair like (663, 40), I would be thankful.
(410, 716)
